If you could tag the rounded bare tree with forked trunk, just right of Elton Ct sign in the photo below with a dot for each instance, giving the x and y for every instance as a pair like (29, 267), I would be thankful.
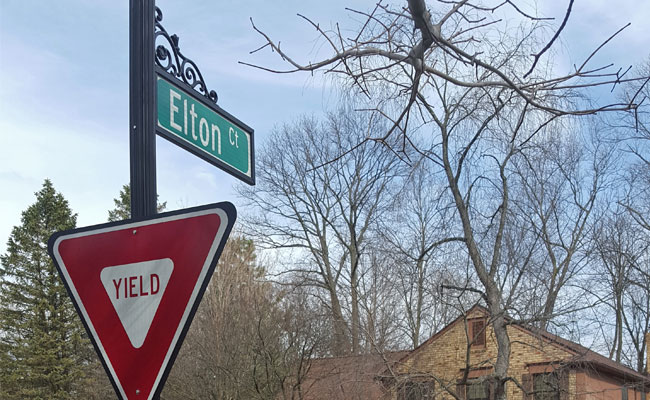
(325, 211)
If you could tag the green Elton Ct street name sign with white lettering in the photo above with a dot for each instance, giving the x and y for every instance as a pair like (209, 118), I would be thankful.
(204, 129)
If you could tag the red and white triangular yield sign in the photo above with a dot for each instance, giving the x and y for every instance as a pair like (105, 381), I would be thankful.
(137, 284)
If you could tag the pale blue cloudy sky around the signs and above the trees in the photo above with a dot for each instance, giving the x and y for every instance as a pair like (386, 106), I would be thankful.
(64, 99)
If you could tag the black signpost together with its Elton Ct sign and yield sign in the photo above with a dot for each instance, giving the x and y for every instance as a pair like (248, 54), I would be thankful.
(207, 131)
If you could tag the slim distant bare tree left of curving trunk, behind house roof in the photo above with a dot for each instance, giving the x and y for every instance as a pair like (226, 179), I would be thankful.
(418, 234)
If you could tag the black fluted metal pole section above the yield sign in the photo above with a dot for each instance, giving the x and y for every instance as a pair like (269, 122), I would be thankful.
(142, 135)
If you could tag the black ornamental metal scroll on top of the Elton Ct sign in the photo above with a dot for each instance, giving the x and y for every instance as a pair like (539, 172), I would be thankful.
(175, 63)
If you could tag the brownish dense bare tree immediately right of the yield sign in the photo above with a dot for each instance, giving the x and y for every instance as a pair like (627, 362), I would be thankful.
(249, 339)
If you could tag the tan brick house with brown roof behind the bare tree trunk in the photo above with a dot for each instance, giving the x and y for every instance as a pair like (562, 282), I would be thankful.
(543, 367)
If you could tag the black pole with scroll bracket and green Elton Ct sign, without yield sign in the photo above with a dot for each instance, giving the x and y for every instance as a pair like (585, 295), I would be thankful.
(213, 134)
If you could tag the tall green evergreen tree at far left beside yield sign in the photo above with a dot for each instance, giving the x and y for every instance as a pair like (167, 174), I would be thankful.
(42, 343)
